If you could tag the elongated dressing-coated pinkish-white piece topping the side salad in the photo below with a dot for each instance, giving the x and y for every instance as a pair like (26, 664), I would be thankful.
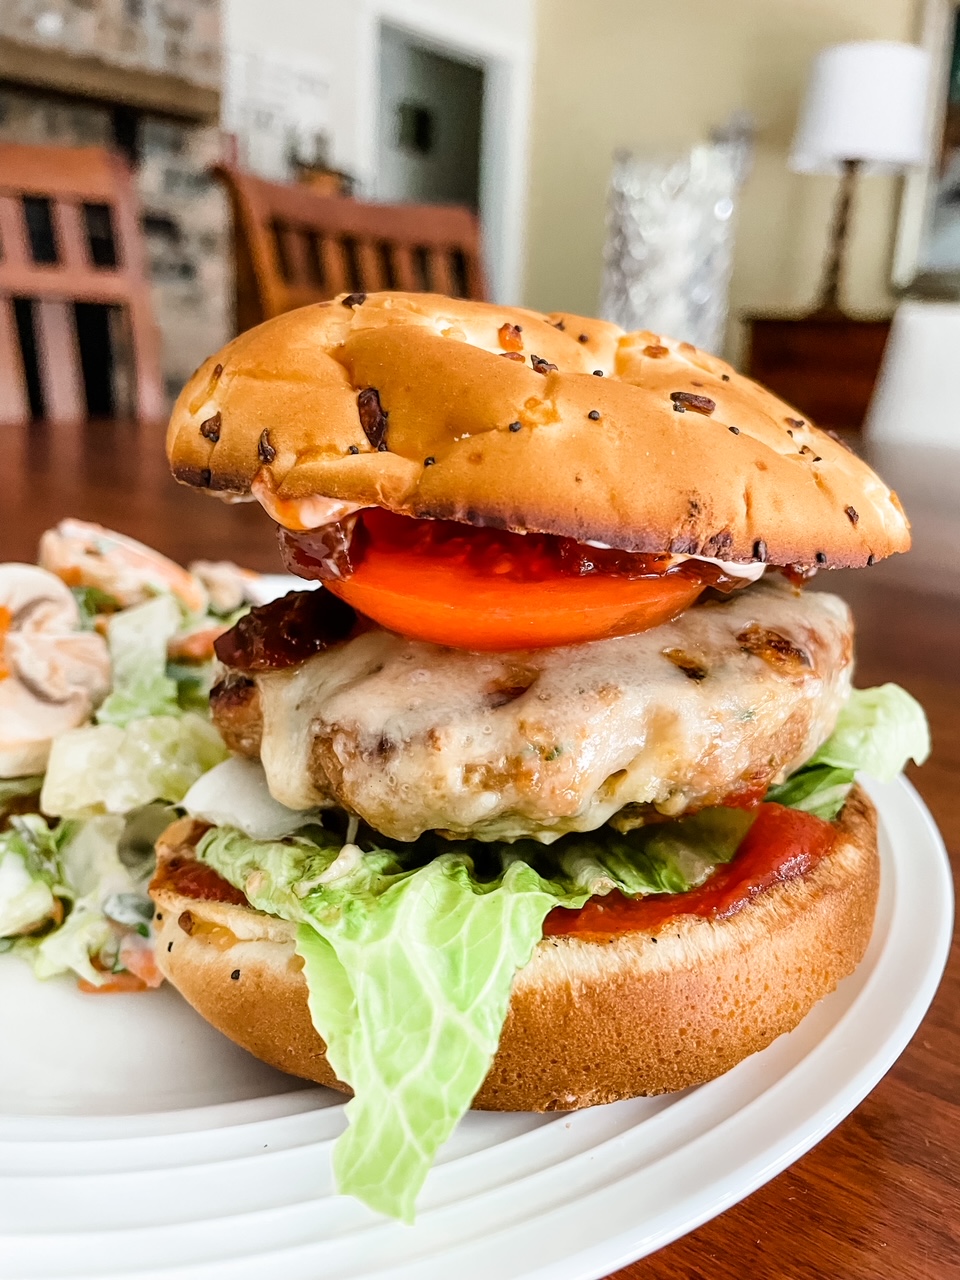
(85, 555)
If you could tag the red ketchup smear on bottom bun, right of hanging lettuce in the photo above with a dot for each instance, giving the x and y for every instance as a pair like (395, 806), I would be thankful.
(781, 845)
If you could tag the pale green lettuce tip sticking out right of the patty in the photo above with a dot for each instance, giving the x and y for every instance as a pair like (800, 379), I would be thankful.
(877, 733)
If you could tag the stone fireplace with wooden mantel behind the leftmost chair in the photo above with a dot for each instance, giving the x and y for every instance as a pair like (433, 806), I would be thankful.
(141, 77)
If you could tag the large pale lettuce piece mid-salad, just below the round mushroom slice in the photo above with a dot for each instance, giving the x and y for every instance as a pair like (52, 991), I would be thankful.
(106, 769)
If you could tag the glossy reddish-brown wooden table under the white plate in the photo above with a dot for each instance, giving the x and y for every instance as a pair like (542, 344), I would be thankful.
(881, 1196)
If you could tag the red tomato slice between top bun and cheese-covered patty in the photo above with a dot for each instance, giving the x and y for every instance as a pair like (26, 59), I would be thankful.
(486, 589)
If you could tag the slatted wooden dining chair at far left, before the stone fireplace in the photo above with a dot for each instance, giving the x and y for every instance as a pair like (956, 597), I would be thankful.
(70, 234)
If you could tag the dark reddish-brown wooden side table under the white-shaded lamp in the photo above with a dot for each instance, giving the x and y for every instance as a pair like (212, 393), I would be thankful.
(824, 364)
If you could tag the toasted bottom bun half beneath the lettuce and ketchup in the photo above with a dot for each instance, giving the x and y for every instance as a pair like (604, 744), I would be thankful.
(589, 1022)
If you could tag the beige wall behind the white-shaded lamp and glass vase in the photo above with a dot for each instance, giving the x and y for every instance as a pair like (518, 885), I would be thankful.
(653, 75)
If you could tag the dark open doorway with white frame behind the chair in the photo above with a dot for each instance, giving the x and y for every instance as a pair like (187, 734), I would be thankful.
(431, 125)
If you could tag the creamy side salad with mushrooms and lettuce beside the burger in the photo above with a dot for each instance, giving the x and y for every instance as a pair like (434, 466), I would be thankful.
(106, 669)
